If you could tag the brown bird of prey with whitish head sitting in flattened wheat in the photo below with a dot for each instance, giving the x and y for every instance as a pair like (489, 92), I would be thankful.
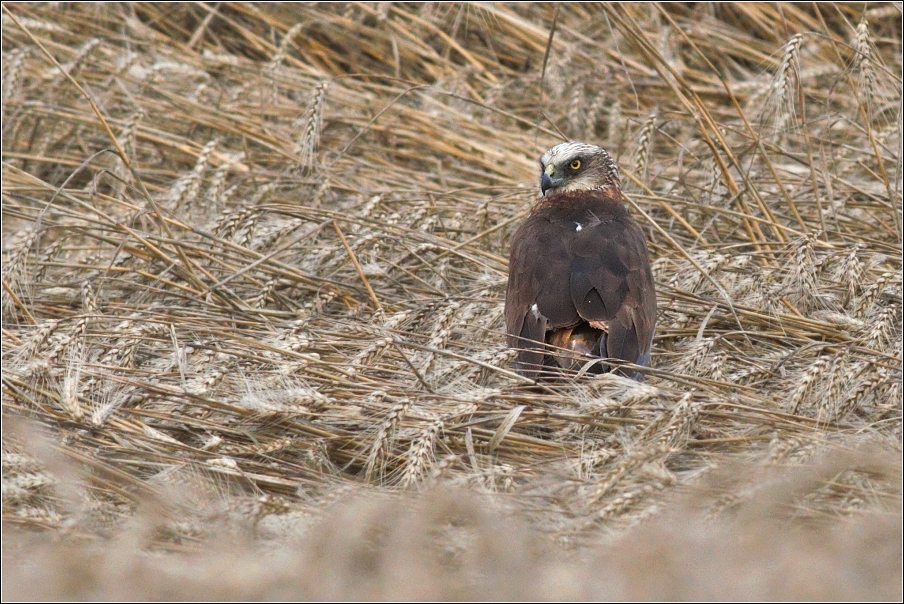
(580, 285)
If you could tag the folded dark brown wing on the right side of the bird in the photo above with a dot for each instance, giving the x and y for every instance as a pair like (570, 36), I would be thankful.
(610, 281)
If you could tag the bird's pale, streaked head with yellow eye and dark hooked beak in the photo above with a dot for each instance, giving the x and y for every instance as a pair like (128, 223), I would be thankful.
(577, 167)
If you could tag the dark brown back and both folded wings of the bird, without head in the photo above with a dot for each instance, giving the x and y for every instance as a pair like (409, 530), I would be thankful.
(599, 272)
